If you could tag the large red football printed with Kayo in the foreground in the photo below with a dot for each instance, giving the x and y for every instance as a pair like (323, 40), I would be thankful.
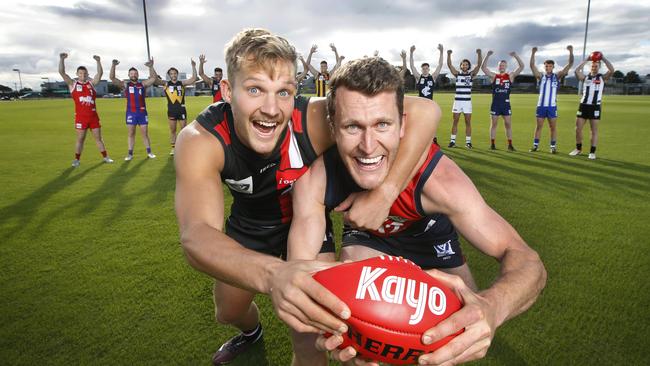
(392, 303)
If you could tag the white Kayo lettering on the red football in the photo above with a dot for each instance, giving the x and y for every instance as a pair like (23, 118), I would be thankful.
(398, 290)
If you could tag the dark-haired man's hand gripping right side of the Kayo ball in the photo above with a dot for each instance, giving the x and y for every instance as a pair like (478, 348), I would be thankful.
(477, 317)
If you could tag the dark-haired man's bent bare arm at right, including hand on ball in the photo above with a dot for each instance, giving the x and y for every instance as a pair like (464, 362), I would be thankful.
(521, 279)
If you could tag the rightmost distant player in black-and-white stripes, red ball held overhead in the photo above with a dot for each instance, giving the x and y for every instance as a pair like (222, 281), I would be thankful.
(592, 95)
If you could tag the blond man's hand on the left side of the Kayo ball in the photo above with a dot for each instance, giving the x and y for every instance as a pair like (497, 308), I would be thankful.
(302, 303)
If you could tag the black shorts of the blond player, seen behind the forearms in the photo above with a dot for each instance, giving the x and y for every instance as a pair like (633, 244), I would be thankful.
(271, 240)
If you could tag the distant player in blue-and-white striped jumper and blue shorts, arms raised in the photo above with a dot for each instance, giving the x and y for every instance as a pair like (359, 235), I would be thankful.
(549, 83)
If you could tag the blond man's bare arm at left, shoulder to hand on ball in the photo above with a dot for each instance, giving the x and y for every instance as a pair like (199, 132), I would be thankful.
(199, 203)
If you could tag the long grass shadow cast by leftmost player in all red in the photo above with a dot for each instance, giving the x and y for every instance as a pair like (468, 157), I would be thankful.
(24, 211)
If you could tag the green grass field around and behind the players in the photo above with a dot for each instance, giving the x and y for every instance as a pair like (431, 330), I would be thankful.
(92, 272)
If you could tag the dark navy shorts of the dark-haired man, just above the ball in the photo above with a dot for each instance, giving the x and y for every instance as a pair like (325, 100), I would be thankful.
(428, 248)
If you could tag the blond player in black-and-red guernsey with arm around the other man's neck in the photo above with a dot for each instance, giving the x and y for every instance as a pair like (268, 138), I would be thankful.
(258, 143)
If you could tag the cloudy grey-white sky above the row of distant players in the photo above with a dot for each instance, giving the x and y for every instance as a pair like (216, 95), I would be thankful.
(33, 33)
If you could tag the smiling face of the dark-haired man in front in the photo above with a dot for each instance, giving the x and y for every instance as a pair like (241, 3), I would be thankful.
(367, 131)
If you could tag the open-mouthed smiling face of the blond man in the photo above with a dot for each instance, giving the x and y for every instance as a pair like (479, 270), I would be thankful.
(262, 101)
